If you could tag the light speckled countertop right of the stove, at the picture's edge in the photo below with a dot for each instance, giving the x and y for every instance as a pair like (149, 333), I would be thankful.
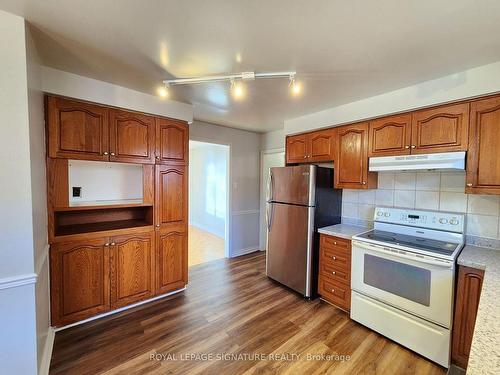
(484, 355)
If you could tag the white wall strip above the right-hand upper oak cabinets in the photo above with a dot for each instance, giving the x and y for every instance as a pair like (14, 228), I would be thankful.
(469, 83)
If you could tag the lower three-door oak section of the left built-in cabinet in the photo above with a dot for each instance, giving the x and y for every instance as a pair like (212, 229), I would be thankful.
(95, 276)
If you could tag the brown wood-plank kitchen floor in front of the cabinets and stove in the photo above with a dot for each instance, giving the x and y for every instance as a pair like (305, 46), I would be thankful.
(231, 308)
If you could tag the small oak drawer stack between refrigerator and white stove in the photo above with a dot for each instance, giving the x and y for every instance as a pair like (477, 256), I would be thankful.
(334, 281)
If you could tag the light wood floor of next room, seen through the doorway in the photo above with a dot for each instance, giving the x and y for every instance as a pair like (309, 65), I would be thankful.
(203, 246)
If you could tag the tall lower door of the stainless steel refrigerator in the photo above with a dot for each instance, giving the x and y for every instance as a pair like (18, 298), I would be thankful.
(289, 244)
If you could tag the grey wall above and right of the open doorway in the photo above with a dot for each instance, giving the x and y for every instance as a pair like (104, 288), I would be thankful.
(244, 181)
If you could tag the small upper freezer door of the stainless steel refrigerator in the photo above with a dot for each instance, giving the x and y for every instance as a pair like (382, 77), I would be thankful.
(294, 185)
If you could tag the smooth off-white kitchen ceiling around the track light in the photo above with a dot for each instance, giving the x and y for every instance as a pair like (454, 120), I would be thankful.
(342, 50)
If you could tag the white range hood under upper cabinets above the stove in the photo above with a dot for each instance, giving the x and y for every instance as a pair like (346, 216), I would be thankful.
(441, 161)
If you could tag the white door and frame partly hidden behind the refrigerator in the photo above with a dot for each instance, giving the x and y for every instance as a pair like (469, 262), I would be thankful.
(268, 159)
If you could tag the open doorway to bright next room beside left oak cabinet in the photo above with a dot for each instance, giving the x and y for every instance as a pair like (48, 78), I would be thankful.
(208, 202)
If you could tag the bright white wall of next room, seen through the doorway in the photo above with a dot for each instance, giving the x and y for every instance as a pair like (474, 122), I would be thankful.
(207, 187)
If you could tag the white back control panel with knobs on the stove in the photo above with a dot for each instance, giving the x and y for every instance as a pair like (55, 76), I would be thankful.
(447, 221)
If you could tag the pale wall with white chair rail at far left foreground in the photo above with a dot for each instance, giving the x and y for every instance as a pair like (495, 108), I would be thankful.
(17, 290)
